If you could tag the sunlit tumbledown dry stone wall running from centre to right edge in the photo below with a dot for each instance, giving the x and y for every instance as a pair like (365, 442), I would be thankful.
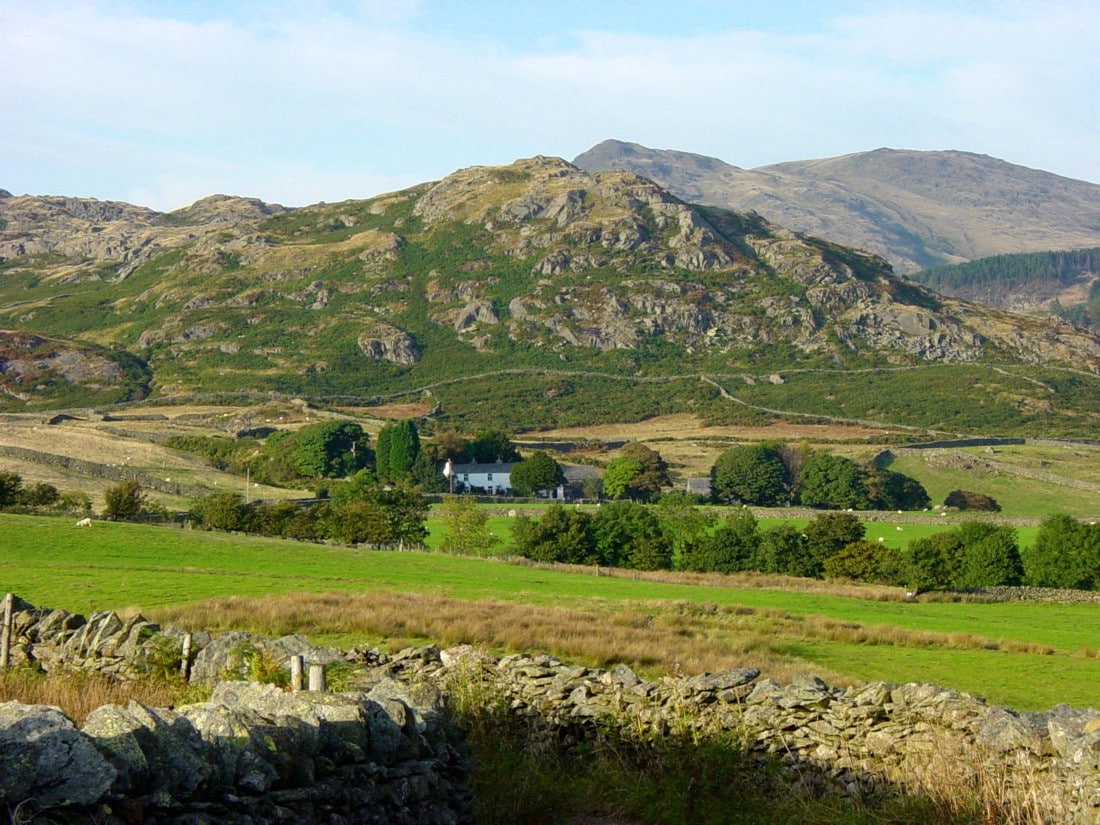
(857, 743)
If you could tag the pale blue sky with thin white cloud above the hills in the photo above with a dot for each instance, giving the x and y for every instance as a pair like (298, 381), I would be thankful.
(160, 104)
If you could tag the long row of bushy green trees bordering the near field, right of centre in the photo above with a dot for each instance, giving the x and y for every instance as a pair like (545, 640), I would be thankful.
(676, 535)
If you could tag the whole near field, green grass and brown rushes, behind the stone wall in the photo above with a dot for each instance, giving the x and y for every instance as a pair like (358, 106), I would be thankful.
(1029, 656)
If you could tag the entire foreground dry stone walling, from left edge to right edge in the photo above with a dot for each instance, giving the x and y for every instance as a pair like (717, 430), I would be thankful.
(387, 744)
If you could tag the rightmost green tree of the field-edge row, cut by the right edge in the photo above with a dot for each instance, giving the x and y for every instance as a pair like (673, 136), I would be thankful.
(1066, 554)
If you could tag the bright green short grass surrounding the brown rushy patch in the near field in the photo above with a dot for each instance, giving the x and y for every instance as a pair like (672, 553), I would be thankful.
(50, 563)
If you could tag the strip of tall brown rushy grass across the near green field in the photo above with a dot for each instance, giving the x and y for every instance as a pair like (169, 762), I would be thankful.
(655, 639)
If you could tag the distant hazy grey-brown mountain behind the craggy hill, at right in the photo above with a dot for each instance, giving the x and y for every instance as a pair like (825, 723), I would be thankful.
(917, 210)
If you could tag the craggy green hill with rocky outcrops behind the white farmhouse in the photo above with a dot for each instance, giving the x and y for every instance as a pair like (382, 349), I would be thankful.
(531, 294)
